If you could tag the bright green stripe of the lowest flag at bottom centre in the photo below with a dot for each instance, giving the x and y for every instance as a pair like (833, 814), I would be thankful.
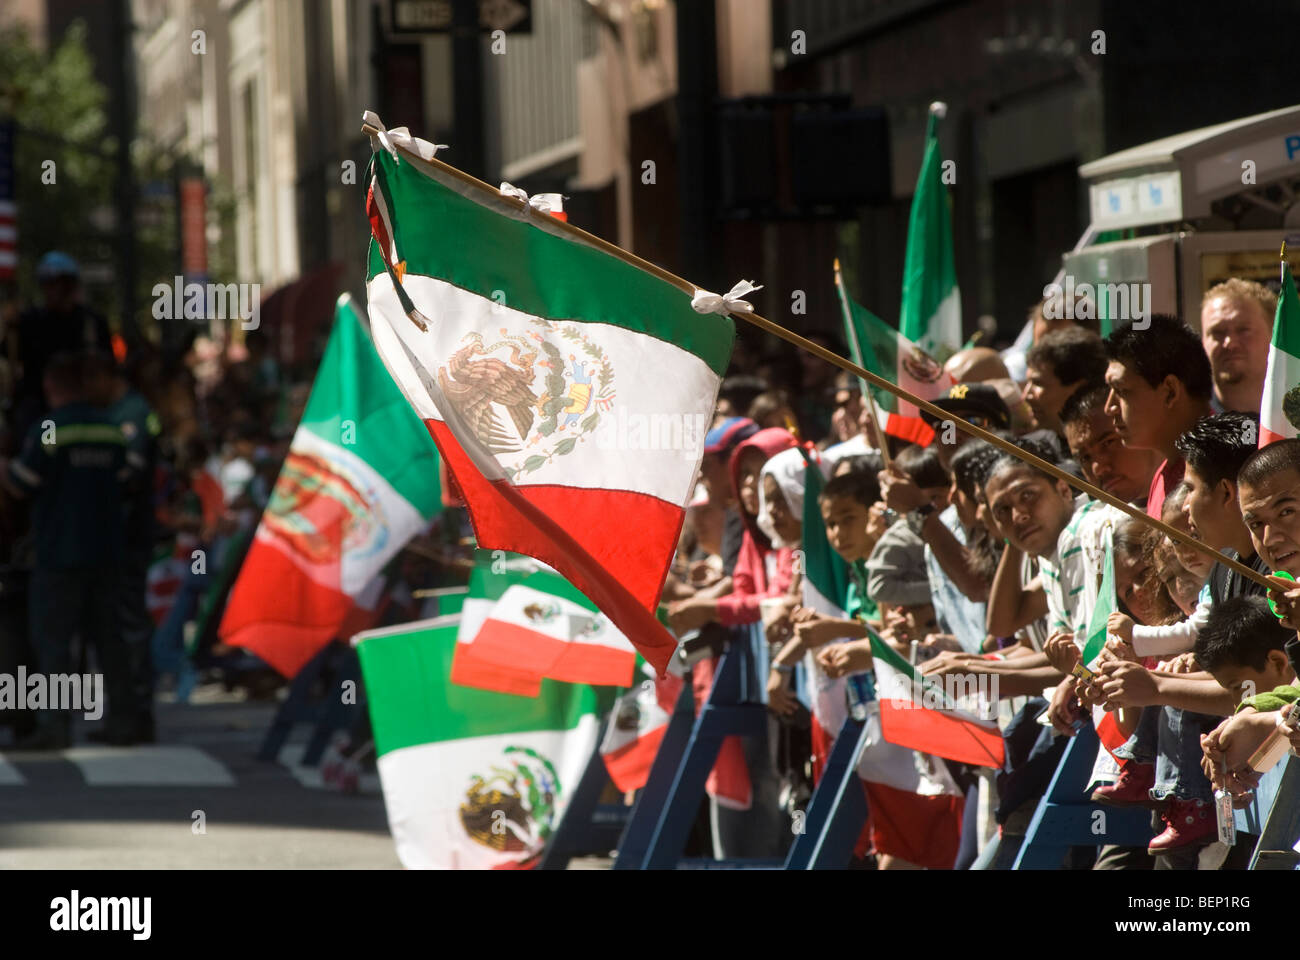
(413, 702)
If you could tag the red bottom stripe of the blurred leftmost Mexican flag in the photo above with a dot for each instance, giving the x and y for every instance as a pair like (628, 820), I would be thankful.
(307, 615)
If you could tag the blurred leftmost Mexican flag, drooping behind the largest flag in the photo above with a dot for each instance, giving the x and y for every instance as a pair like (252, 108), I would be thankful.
(359, 482)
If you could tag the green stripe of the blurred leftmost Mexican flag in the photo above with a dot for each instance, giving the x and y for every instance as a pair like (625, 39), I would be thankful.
(357, 407)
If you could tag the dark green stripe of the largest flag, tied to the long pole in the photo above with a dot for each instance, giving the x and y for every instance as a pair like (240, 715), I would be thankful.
(443, 233)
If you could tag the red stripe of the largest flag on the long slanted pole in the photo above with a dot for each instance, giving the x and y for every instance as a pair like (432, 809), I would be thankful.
(614, 546)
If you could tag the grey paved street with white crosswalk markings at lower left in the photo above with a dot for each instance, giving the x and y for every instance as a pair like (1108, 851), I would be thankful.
(103, 807)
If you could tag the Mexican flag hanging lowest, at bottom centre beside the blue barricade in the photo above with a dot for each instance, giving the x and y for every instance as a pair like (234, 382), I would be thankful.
(471, 780)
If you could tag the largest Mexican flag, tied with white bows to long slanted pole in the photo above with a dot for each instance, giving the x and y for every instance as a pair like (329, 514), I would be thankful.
(540, 364)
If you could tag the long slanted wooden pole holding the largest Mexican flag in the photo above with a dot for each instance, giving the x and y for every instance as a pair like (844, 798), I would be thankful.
(830, 357)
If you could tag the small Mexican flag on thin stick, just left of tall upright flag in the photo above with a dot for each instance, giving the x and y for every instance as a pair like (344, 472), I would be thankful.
(887, 353)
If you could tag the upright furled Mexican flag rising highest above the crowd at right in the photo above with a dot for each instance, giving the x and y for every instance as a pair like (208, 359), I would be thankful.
(931, 314)
